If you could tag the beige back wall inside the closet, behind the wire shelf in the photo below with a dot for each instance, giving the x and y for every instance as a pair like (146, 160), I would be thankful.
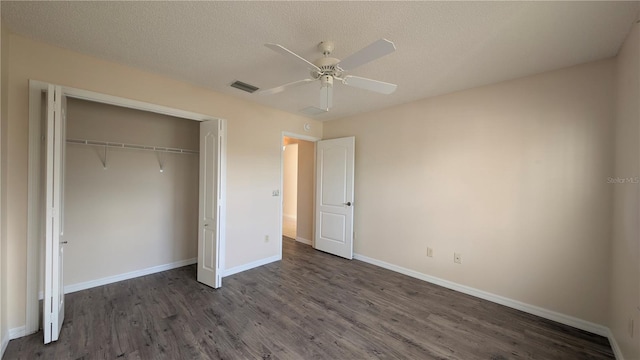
(129, 216)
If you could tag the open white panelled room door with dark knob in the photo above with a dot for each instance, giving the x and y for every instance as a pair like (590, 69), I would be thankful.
(334, 196)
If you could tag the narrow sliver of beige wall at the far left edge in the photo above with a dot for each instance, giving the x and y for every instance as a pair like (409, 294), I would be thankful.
(4, 65)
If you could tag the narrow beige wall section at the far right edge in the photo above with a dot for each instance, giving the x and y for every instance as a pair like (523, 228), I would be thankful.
(625, 279)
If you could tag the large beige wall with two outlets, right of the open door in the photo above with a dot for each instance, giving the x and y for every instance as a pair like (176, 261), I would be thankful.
(512, 176)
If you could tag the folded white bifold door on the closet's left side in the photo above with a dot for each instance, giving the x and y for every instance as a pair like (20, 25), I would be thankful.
(53, 303)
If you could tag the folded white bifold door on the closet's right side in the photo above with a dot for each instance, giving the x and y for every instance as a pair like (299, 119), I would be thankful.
(211, 213)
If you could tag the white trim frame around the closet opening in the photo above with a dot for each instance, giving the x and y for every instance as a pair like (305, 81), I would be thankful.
(34, 203)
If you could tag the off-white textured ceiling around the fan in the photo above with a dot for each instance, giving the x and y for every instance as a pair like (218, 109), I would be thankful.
(441, 46)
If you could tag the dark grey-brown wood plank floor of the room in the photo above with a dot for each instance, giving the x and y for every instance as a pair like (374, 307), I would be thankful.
(311, 305)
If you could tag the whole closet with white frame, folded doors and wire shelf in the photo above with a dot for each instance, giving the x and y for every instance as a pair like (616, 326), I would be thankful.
(119, 189)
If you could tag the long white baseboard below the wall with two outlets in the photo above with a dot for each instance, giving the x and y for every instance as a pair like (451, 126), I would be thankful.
(531, 309)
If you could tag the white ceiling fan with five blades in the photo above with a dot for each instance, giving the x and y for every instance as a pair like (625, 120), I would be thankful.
(327, 69)
